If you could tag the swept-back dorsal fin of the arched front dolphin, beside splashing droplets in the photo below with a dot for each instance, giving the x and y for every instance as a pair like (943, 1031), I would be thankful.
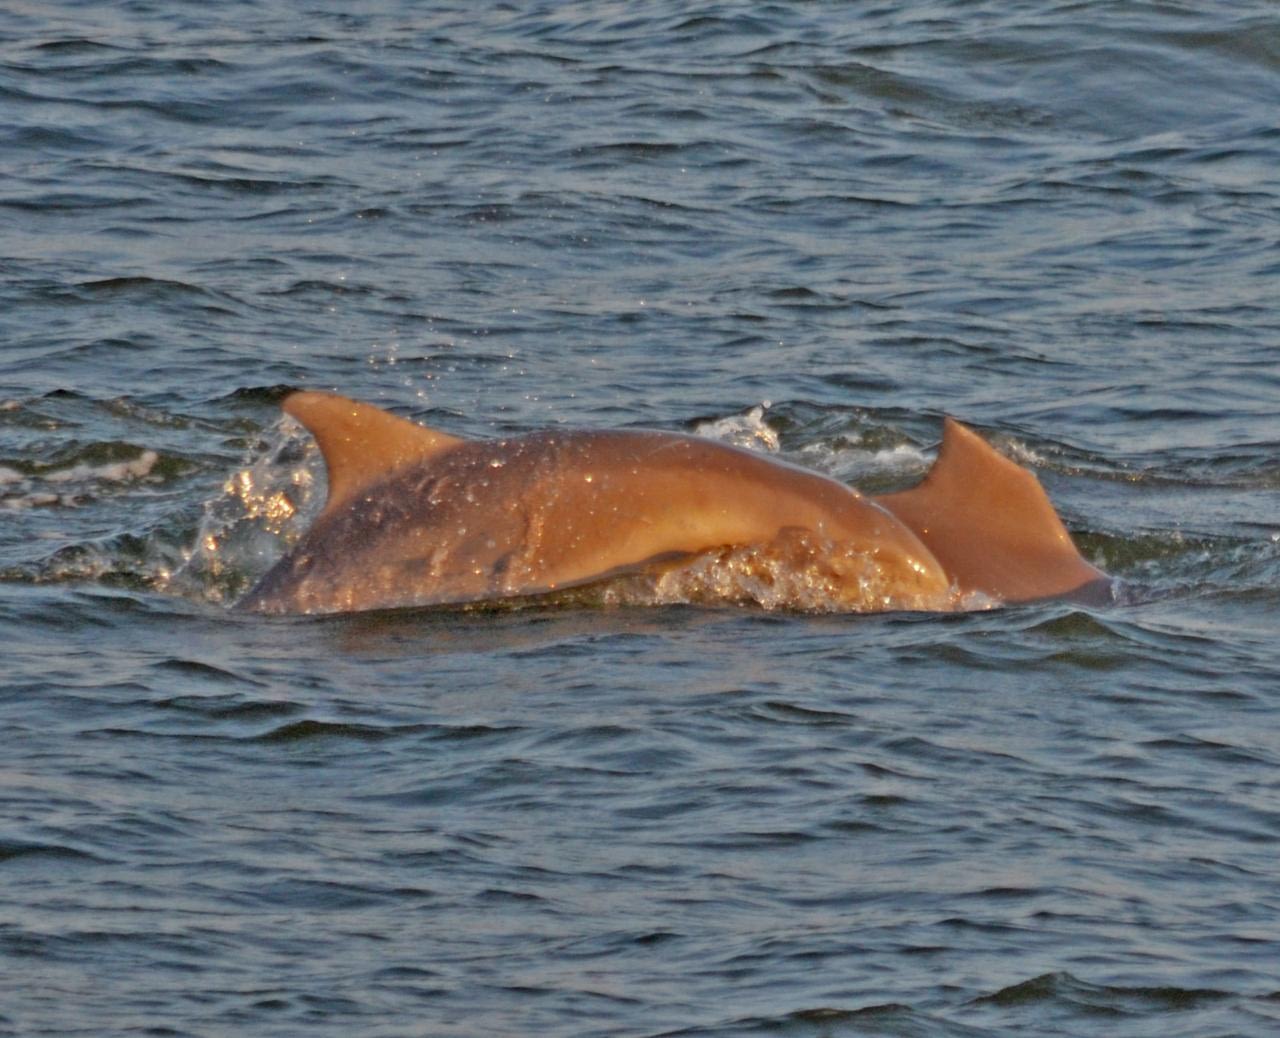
(362, 443)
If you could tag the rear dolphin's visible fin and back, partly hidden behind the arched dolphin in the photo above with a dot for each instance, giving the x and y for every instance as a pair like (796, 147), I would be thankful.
(990, 524)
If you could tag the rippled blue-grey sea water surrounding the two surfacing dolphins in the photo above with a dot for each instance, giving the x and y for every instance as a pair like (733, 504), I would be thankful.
(808, 228)
